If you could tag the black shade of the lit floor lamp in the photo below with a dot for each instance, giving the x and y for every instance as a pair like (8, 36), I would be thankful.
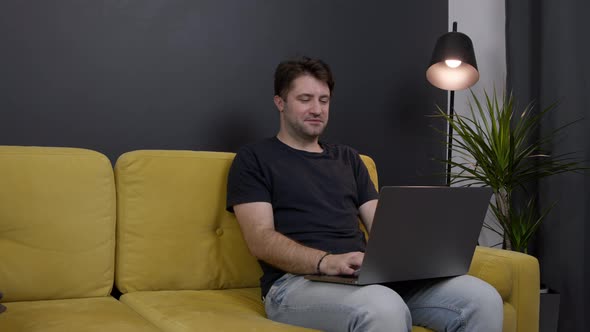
(453, 46)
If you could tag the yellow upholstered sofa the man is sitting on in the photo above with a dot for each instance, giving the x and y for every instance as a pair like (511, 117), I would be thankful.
(177, 256)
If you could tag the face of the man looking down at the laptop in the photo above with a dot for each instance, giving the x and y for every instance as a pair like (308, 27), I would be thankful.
(305, 112)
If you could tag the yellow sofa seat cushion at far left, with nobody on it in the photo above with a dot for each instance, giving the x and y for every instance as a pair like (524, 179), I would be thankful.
(89, 314)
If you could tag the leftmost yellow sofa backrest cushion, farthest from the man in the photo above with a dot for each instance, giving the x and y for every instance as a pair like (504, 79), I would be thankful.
(57, 223)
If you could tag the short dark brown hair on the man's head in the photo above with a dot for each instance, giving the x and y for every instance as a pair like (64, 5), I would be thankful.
(288, 71)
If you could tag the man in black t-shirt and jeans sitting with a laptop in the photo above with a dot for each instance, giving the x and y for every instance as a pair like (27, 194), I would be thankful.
(297, 200)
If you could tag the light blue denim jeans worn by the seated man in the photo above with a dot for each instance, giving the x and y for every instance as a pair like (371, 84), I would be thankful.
(462, 303)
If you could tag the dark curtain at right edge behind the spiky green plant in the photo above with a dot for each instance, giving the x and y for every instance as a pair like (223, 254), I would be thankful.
(547, 58)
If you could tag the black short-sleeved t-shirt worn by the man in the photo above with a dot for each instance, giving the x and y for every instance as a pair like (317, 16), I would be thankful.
(315, 196)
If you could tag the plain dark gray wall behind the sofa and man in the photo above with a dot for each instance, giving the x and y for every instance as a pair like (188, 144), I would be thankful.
(115, 76)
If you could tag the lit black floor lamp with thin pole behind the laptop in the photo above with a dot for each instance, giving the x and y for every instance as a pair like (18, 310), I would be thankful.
(452, 67)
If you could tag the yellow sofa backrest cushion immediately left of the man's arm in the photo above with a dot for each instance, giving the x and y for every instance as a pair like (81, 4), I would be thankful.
(173, 231)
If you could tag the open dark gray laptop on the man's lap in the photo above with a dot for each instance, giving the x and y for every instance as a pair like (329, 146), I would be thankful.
(420, 233)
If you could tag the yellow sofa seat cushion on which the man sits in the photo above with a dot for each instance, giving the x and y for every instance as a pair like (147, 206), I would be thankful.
(205, 310)
